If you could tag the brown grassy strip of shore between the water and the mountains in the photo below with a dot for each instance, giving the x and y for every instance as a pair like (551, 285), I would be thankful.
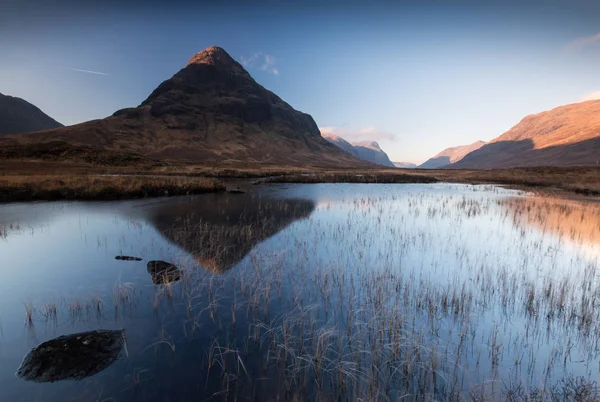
(35, 180)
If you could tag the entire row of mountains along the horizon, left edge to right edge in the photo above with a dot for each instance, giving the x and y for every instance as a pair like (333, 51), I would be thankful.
(213, 113)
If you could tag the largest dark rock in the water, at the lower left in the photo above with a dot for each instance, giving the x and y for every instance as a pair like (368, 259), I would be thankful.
(72, 357)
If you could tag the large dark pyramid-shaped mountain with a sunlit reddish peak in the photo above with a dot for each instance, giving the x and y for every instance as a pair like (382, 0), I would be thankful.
(211, 112)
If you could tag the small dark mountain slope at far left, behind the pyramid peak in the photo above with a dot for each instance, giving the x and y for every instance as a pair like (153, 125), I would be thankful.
(19, 116)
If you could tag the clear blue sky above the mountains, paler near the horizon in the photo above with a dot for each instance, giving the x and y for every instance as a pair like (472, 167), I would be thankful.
(416, 76)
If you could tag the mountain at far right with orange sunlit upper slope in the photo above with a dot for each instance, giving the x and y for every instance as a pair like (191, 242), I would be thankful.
(565, 136)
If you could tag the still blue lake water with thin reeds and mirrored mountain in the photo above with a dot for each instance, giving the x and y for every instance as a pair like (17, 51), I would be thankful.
(307, 292)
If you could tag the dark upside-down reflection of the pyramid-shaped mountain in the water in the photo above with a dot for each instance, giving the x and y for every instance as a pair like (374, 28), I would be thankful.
(219, 230)
